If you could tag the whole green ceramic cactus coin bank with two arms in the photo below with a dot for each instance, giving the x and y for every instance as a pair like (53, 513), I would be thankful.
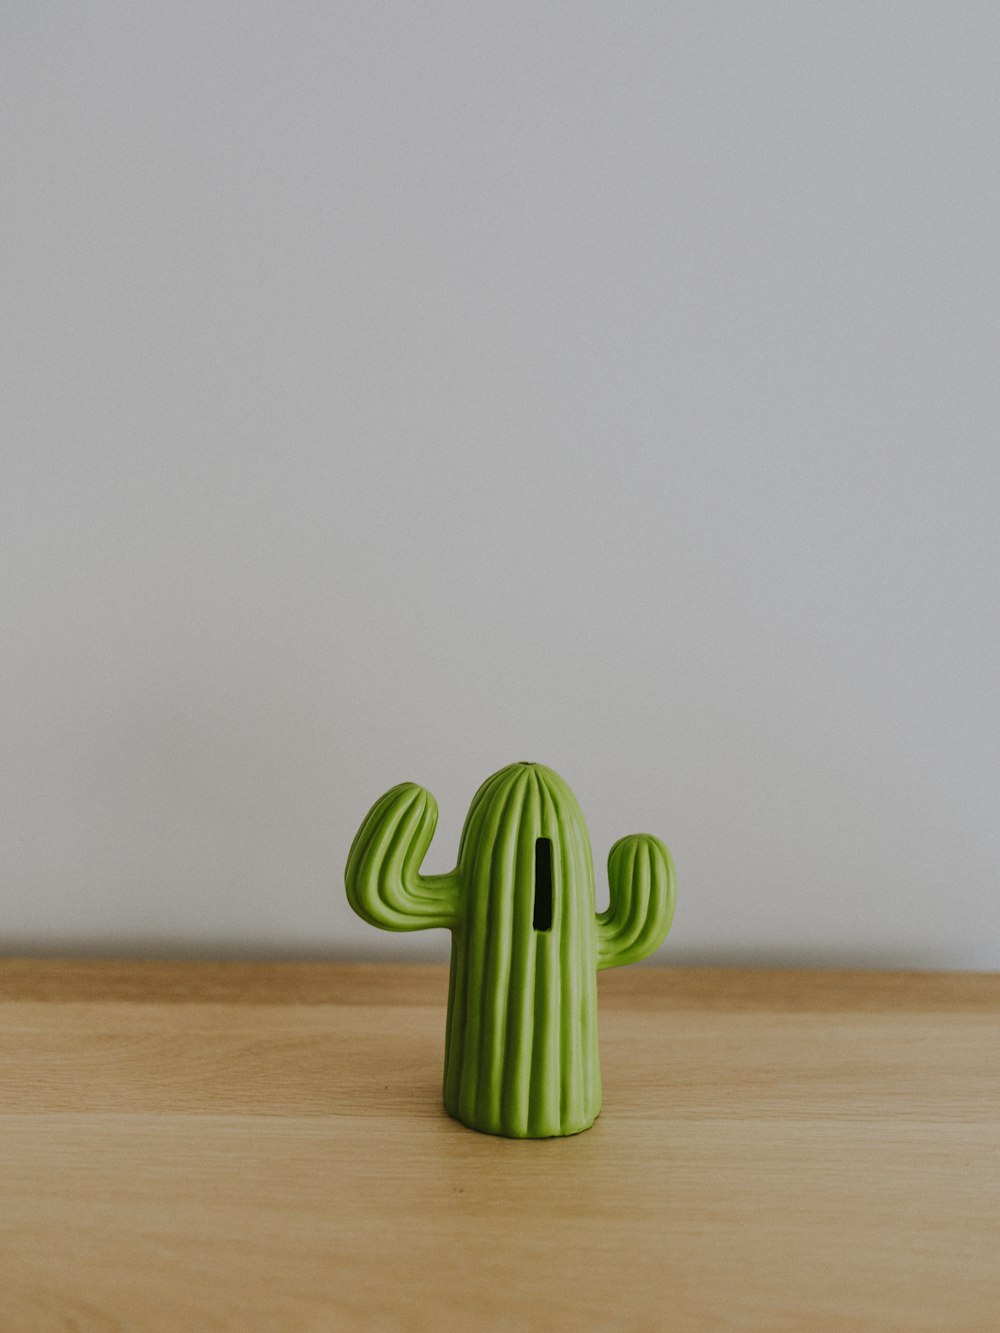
(522, 1052)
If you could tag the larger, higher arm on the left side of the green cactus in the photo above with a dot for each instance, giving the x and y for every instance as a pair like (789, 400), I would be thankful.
(383, 880)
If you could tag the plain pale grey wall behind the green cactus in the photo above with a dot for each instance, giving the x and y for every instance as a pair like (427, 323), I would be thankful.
(398, 391)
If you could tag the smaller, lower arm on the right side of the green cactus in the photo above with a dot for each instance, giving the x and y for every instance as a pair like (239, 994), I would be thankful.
(643, 892)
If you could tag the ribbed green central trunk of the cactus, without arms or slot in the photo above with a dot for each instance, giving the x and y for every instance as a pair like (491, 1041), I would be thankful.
(522, 1046)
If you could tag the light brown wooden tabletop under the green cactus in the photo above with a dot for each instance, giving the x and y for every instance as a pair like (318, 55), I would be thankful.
(199, 1147)
